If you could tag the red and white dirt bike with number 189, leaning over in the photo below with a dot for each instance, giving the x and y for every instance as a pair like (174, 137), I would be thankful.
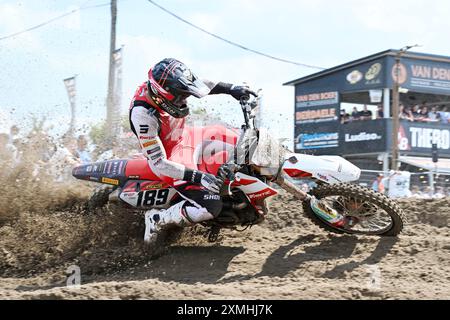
(251, 173)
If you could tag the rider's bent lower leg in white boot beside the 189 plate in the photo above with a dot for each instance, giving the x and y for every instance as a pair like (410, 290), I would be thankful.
(198, 205)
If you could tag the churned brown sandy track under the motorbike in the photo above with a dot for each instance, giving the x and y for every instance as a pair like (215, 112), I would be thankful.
(287, 257)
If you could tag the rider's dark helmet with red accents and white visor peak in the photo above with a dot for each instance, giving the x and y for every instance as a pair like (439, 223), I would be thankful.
(171, 83)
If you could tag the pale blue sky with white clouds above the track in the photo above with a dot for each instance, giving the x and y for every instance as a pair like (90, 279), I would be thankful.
(319, 32)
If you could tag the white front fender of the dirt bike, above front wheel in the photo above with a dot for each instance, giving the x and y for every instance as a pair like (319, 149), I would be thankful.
(329, 169)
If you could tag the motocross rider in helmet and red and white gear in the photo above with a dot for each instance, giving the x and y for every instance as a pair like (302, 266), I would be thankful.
(157, 117)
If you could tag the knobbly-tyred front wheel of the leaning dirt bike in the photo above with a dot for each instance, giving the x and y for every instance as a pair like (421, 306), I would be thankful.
(365, 211)
